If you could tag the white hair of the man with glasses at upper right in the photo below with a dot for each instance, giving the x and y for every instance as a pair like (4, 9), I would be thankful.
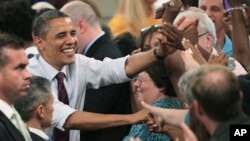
(205, 23)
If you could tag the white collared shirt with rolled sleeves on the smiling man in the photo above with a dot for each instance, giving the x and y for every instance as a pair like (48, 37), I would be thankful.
(82, 74)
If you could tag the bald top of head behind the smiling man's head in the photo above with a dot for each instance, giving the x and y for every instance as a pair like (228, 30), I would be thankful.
(78, 10)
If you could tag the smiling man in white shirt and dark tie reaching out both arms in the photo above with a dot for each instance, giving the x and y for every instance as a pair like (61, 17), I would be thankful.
(55, 37)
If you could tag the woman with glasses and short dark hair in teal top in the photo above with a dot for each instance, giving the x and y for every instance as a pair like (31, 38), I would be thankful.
(153, 87)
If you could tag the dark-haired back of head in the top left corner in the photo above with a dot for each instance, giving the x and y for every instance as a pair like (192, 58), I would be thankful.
(16, 18)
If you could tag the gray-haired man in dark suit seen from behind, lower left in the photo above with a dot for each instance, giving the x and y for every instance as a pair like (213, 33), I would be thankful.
(37, 107)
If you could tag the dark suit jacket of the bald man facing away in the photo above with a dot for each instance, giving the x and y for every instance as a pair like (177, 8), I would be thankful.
(113, 99)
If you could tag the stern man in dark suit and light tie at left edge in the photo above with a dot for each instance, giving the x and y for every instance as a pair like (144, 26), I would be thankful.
(14, 82)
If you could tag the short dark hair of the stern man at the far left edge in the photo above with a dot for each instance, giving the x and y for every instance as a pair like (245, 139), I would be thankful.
(8, 41)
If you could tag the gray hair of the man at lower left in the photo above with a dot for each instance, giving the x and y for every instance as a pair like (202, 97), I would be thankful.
(38, 93)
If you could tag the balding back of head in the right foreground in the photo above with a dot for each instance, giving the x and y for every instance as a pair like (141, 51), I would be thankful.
(218, 92)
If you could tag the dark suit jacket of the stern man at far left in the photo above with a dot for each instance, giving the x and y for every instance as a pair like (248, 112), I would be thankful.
(8, 131)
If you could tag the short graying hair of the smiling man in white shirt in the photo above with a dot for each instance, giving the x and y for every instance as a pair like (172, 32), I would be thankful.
(41, 23)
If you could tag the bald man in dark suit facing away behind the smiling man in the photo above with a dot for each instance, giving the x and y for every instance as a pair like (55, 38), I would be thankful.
(93, 42)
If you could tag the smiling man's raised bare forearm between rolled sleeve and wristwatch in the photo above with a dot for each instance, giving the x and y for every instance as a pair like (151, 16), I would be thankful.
(139, 62)
